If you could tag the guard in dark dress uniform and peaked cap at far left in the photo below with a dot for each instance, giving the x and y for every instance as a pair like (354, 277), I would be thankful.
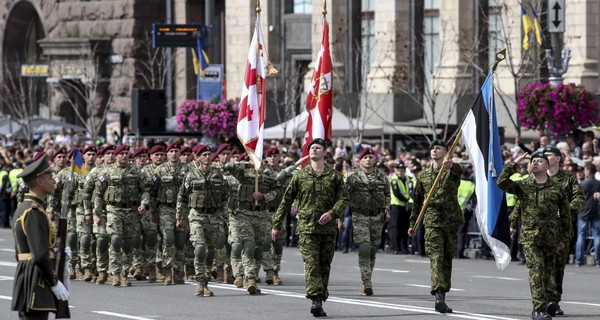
(36, 286)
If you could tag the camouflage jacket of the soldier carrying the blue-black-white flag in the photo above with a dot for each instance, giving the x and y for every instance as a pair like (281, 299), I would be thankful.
(443, 209)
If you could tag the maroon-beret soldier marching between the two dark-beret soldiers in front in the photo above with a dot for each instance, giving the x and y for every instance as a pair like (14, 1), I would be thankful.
(369, 200)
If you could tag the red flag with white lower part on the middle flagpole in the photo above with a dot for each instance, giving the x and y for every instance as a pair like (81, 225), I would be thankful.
(319, 99)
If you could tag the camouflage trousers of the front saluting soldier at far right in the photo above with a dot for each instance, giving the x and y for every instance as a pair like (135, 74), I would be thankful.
(540, 262)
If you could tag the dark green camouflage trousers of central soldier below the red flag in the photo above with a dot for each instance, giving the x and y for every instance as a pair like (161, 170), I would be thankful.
(317, 253)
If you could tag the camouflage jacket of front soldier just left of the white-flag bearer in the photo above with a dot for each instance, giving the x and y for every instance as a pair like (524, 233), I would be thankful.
(205, 192)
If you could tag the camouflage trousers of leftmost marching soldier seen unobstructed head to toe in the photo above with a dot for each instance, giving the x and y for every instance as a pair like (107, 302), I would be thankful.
(121, 226)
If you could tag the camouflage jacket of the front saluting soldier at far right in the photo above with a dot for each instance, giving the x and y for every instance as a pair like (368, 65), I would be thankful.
(542, 209)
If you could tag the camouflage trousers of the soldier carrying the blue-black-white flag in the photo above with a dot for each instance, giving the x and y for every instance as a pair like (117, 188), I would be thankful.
(440, 246)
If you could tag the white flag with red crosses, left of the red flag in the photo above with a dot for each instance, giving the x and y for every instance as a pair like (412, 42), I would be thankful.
(251, 117)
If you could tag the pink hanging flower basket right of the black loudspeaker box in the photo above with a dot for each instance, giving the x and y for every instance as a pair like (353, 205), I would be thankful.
(211, 118)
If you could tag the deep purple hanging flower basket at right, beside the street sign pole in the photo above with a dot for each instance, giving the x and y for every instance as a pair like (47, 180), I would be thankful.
(559, 110)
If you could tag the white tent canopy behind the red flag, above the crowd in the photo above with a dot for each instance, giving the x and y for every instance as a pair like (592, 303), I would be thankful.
(341, 127)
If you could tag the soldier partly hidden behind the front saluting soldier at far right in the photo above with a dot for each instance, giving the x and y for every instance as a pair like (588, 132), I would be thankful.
(575, 197)
